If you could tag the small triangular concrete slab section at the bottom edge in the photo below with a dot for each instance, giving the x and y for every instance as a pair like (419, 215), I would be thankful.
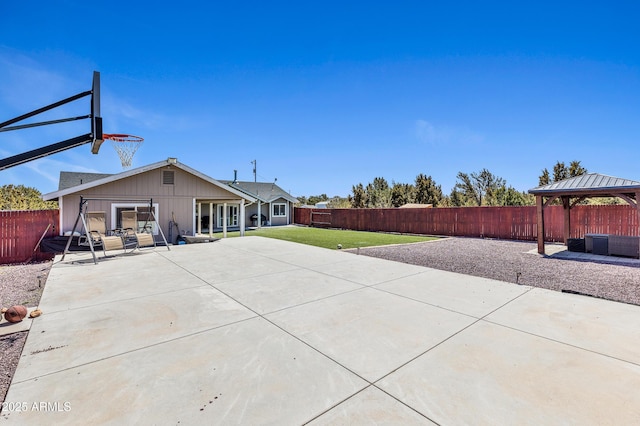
(371, 407)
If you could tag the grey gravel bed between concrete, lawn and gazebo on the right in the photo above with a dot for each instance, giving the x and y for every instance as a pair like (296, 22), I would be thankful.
(509, 261)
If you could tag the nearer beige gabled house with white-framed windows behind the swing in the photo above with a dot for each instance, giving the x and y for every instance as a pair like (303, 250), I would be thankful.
(180, 198)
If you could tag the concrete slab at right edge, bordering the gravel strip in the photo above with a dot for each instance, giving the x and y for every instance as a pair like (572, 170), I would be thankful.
(598, 325)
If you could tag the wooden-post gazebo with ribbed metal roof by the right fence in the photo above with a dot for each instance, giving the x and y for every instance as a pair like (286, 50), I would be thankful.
(573, 190)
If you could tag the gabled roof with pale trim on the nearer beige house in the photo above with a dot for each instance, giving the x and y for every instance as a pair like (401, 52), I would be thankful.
(128, 173)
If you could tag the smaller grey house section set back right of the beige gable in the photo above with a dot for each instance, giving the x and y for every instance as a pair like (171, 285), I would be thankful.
(275, 204)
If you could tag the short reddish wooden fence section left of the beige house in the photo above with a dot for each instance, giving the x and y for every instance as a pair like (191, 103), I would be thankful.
(20, 232)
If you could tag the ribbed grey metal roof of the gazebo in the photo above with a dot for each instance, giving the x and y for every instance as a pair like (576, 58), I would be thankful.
(588, 184)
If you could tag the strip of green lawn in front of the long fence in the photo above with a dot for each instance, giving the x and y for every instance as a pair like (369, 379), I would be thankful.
(330, 238)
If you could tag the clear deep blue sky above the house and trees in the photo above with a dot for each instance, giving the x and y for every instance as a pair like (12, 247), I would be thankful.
(325, 95)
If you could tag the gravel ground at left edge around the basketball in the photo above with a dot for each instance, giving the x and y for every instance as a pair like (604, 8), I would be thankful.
(19, 285)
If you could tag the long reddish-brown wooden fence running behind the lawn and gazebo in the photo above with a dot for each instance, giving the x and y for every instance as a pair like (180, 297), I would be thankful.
(509, 223)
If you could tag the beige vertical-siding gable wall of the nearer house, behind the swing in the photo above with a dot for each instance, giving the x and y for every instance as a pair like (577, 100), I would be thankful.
(173, 200)
